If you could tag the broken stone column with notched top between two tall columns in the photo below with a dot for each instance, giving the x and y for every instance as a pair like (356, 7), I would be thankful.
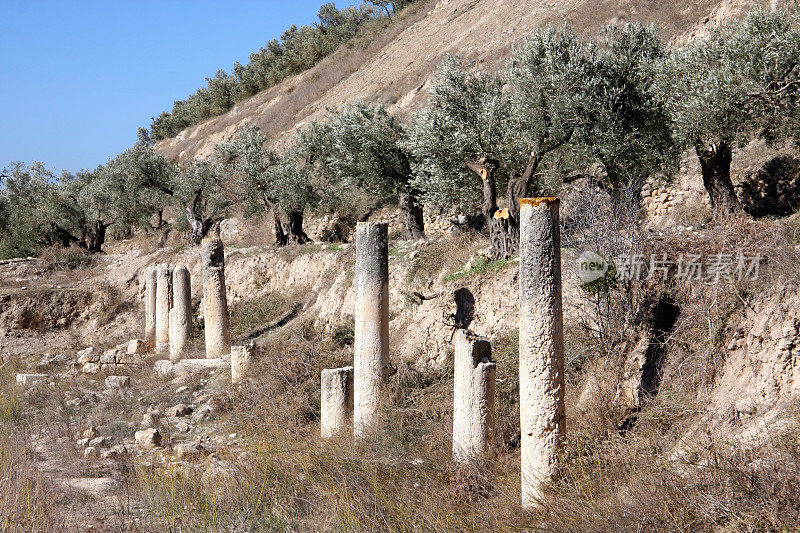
(473, 396)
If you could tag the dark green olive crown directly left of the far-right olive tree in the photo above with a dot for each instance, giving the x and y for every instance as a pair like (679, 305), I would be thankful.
(626, 127)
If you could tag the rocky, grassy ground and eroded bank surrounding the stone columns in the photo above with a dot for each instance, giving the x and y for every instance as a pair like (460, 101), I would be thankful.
(117, 441)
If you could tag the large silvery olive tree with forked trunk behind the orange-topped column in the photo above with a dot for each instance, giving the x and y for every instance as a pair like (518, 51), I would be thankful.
(473, 126)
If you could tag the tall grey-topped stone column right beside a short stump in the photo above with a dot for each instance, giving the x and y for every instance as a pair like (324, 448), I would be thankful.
(371, 348)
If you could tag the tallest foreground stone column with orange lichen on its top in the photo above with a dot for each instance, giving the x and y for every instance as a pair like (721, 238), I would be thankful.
(541, 346)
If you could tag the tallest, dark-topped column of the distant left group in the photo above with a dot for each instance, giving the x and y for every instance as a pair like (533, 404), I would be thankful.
(215, 302)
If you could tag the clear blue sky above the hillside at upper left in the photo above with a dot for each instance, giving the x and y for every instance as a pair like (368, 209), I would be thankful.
(79, 77)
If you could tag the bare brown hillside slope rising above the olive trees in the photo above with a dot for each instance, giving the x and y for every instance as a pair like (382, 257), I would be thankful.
(393, 67)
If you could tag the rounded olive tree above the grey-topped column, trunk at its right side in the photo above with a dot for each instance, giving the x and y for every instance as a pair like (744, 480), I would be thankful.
(360, 146)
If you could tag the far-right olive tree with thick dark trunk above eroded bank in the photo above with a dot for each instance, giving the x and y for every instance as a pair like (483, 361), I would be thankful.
(740, 83)
